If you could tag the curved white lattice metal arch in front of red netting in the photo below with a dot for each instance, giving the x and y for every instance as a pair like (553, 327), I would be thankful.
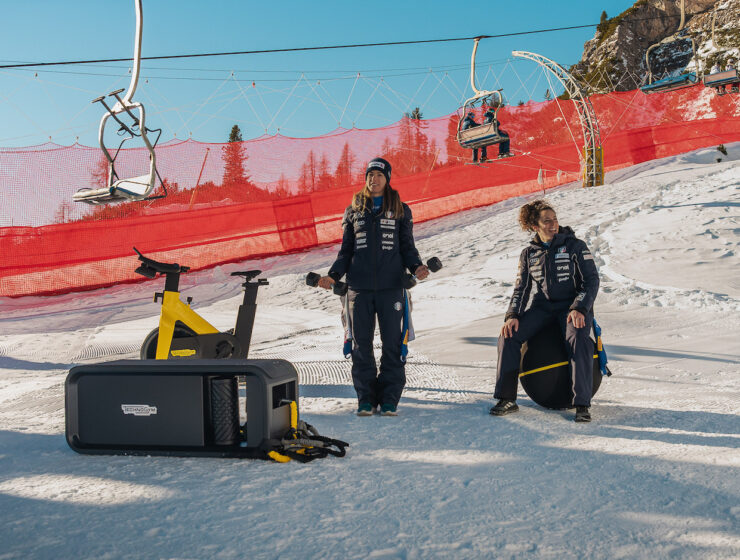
(592, 159)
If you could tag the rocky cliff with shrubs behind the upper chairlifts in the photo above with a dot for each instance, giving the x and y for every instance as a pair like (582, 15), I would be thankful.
(615, 58)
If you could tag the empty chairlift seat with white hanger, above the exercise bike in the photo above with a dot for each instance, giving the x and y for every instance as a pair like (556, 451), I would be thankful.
(134, 188)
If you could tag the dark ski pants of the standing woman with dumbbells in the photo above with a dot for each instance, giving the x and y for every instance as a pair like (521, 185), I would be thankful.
(364, 306)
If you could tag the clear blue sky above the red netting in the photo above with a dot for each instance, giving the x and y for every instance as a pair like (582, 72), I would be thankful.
(204, 97)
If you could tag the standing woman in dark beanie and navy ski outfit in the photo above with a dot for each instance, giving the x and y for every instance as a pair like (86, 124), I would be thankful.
(377, 248)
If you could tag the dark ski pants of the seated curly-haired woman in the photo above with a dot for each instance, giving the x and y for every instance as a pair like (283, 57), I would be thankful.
(579, 345)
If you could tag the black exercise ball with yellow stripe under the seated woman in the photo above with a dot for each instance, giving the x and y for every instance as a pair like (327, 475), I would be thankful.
(545, 370)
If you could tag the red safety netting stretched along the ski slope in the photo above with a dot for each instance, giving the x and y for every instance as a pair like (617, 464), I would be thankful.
(274, 195)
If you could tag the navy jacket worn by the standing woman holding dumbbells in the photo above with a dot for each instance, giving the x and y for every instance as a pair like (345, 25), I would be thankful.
(376, 250)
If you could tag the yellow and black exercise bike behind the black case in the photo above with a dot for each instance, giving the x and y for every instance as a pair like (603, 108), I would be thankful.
(182, 333)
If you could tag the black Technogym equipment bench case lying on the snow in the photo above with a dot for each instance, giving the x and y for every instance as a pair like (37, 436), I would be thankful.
(179, 407)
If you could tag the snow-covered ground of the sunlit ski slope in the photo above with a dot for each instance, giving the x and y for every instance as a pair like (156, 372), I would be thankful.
(656, 475)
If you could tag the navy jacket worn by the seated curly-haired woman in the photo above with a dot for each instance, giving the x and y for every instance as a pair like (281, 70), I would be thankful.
(564, 273)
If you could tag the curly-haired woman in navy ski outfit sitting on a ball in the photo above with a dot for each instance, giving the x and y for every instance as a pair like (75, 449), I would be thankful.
(564, 273)
